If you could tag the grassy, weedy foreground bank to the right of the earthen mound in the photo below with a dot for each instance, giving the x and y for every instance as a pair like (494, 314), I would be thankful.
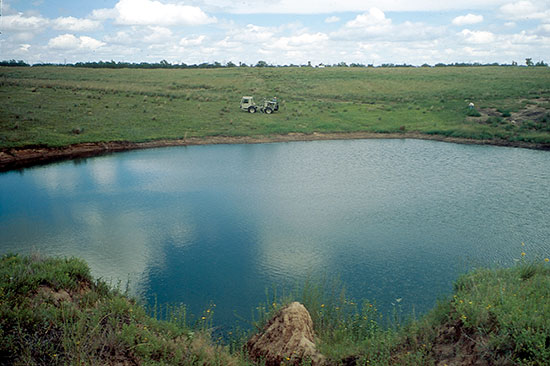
(495, 317)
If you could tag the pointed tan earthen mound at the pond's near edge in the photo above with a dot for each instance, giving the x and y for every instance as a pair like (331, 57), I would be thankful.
(287, 339)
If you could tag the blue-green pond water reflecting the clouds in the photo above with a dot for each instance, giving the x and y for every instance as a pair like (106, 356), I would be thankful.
(221, 224)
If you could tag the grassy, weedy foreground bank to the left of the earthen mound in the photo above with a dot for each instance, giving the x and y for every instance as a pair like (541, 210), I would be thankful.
(53, 313)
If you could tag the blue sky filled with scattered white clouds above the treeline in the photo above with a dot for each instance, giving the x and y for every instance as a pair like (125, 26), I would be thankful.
(279, 32)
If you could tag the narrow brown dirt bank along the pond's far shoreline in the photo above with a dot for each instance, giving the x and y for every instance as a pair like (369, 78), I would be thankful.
(17, 158)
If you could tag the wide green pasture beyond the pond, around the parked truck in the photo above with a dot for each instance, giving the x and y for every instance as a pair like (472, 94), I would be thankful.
(58, 106)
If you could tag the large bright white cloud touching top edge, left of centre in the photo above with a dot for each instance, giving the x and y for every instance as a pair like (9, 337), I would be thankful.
(151, 12)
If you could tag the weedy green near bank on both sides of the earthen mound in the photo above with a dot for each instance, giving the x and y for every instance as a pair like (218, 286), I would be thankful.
(53, 313)
